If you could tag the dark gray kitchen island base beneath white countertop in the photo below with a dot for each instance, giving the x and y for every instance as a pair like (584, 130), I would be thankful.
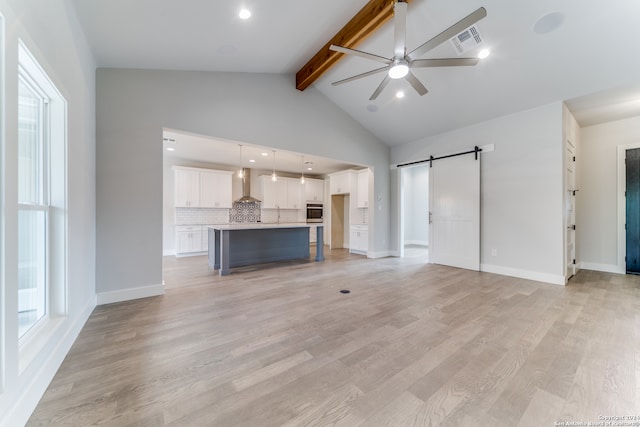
(247, 244)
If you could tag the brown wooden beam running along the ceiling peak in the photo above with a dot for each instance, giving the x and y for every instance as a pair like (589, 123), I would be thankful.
(362, 25)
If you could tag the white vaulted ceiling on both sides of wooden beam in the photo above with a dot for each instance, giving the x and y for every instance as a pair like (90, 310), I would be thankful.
(592, 54)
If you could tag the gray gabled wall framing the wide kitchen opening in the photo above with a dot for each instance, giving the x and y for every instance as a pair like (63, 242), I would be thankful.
(133, 106)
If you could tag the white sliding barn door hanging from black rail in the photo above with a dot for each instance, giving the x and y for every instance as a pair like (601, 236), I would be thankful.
(454, 202)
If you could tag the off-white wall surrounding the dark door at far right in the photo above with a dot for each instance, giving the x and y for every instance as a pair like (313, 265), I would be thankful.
(596, 214)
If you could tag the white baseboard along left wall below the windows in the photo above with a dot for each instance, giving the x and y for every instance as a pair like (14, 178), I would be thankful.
(27, 401)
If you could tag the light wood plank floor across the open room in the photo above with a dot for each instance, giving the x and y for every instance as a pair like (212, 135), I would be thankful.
(411, 345)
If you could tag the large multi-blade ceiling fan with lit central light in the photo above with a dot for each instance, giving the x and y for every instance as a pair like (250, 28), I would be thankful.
(401, 64)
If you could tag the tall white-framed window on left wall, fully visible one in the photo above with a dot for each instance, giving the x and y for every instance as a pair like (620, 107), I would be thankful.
(41, 197)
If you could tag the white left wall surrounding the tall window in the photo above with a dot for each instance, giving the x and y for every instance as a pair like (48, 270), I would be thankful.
(51, 32)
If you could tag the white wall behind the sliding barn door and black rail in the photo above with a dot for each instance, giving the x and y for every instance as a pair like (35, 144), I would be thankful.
(521, 189)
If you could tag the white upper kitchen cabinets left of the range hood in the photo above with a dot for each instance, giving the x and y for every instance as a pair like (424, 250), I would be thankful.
(202, 188)
